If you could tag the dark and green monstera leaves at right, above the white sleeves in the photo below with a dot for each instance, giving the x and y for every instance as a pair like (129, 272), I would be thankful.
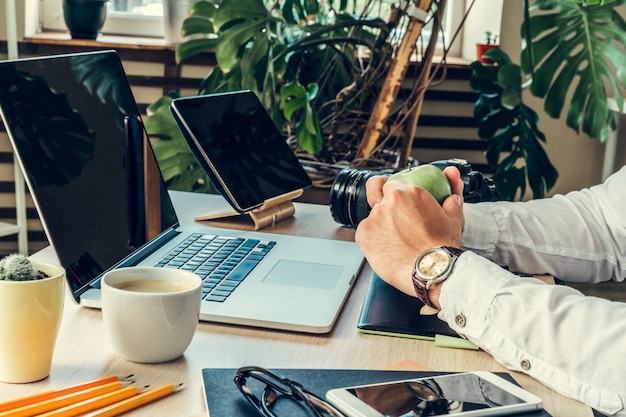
(574, 58)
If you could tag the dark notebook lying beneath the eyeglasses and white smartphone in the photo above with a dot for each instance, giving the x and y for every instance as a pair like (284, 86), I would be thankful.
(224, 399)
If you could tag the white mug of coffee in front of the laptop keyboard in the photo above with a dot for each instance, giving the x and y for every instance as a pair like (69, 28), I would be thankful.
(150, 314)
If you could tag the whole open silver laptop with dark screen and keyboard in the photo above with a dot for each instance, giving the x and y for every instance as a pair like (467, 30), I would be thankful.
(79, 139)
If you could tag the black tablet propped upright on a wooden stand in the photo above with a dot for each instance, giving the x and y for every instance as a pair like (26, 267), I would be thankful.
(242, 151)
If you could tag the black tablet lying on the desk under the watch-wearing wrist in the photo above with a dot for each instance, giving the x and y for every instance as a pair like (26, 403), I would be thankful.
(387, 310)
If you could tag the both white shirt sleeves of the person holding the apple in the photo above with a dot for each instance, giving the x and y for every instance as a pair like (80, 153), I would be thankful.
(571, 343)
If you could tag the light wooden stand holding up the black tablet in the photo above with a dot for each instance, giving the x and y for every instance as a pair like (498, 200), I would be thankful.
(272, 211)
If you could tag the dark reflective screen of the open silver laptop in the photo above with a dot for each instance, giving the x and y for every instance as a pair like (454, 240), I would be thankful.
(77, 132)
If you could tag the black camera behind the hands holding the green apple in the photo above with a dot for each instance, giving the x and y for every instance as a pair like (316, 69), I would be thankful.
(348, 200)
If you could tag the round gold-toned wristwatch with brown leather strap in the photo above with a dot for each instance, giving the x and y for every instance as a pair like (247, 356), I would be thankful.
(432, 266)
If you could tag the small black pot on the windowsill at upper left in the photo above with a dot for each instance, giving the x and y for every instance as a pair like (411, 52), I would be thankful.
(84, 18)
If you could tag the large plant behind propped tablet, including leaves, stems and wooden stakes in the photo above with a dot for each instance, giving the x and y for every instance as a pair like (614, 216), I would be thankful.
(319, 67)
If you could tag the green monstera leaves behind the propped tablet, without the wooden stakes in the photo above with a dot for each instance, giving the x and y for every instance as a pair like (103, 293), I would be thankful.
(292, 54)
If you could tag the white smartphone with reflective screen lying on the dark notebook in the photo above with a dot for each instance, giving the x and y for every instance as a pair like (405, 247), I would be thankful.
(462, 394)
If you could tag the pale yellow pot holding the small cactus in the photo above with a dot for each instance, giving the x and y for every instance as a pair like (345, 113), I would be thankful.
(30, 316)
